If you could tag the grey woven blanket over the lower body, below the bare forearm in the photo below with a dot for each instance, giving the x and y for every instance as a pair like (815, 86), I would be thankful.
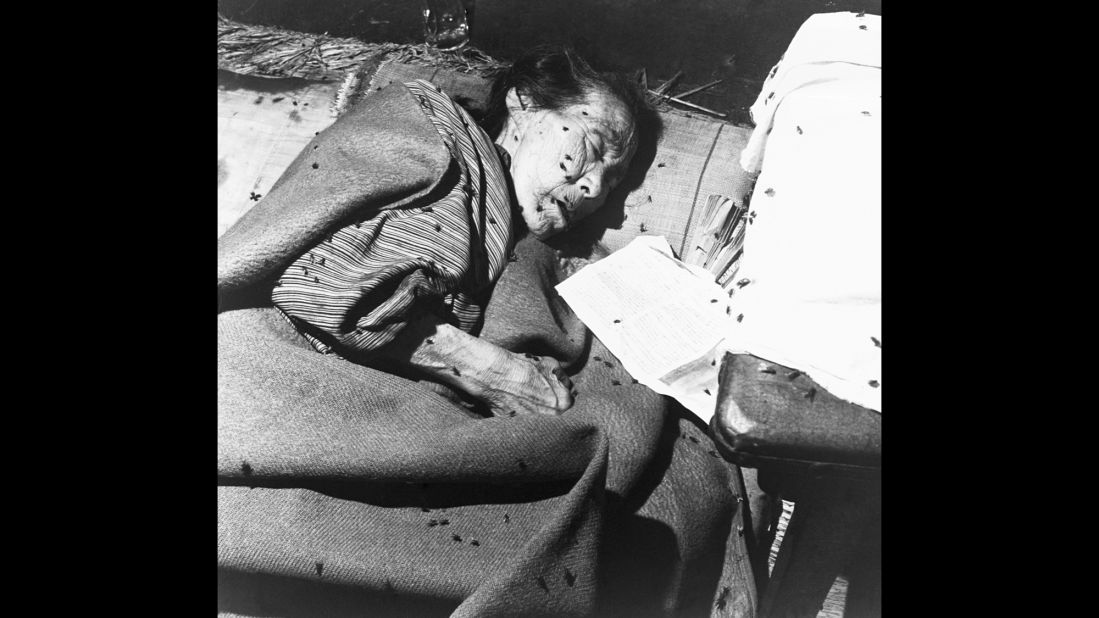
(346, 490)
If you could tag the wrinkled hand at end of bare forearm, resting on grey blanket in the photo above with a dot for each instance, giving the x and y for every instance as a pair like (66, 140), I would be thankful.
(526, 384)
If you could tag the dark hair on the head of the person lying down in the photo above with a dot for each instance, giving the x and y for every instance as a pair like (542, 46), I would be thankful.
(552, 78)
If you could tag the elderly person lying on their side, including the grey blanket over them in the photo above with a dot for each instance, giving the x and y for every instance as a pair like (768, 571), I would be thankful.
(395, 280)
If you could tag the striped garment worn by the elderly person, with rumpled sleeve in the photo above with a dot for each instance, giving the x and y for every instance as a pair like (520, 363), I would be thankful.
(356, 290)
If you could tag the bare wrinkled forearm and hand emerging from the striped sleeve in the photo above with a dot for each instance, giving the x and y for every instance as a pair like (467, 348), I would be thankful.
(506, 381)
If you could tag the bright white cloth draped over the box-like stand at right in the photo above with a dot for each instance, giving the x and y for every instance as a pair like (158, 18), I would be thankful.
(814, 251)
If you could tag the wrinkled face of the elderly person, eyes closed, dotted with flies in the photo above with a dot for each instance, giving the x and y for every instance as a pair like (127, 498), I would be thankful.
(565, 162)
